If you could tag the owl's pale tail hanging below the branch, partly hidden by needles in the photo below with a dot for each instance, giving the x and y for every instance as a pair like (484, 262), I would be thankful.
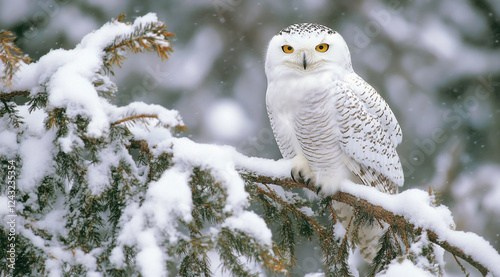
(368, 236)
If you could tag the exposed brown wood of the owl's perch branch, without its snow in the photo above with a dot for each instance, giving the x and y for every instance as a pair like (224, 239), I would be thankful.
(378, 212)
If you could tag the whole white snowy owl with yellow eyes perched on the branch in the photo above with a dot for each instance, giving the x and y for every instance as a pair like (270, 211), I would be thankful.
(326, 118)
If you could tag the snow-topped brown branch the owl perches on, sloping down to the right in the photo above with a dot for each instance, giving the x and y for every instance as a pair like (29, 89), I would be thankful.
(468, 246)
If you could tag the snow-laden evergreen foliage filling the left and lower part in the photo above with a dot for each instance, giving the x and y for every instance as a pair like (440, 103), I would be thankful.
(102, 189)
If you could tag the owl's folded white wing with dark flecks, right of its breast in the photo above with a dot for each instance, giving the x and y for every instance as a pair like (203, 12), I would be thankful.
(364, 138)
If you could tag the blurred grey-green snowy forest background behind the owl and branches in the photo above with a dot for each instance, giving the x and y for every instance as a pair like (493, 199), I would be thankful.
(437, 64)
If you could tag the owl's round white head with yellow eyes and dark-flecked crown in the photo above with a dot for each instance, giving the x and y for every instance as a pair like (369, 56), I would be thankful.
(307, 47)
